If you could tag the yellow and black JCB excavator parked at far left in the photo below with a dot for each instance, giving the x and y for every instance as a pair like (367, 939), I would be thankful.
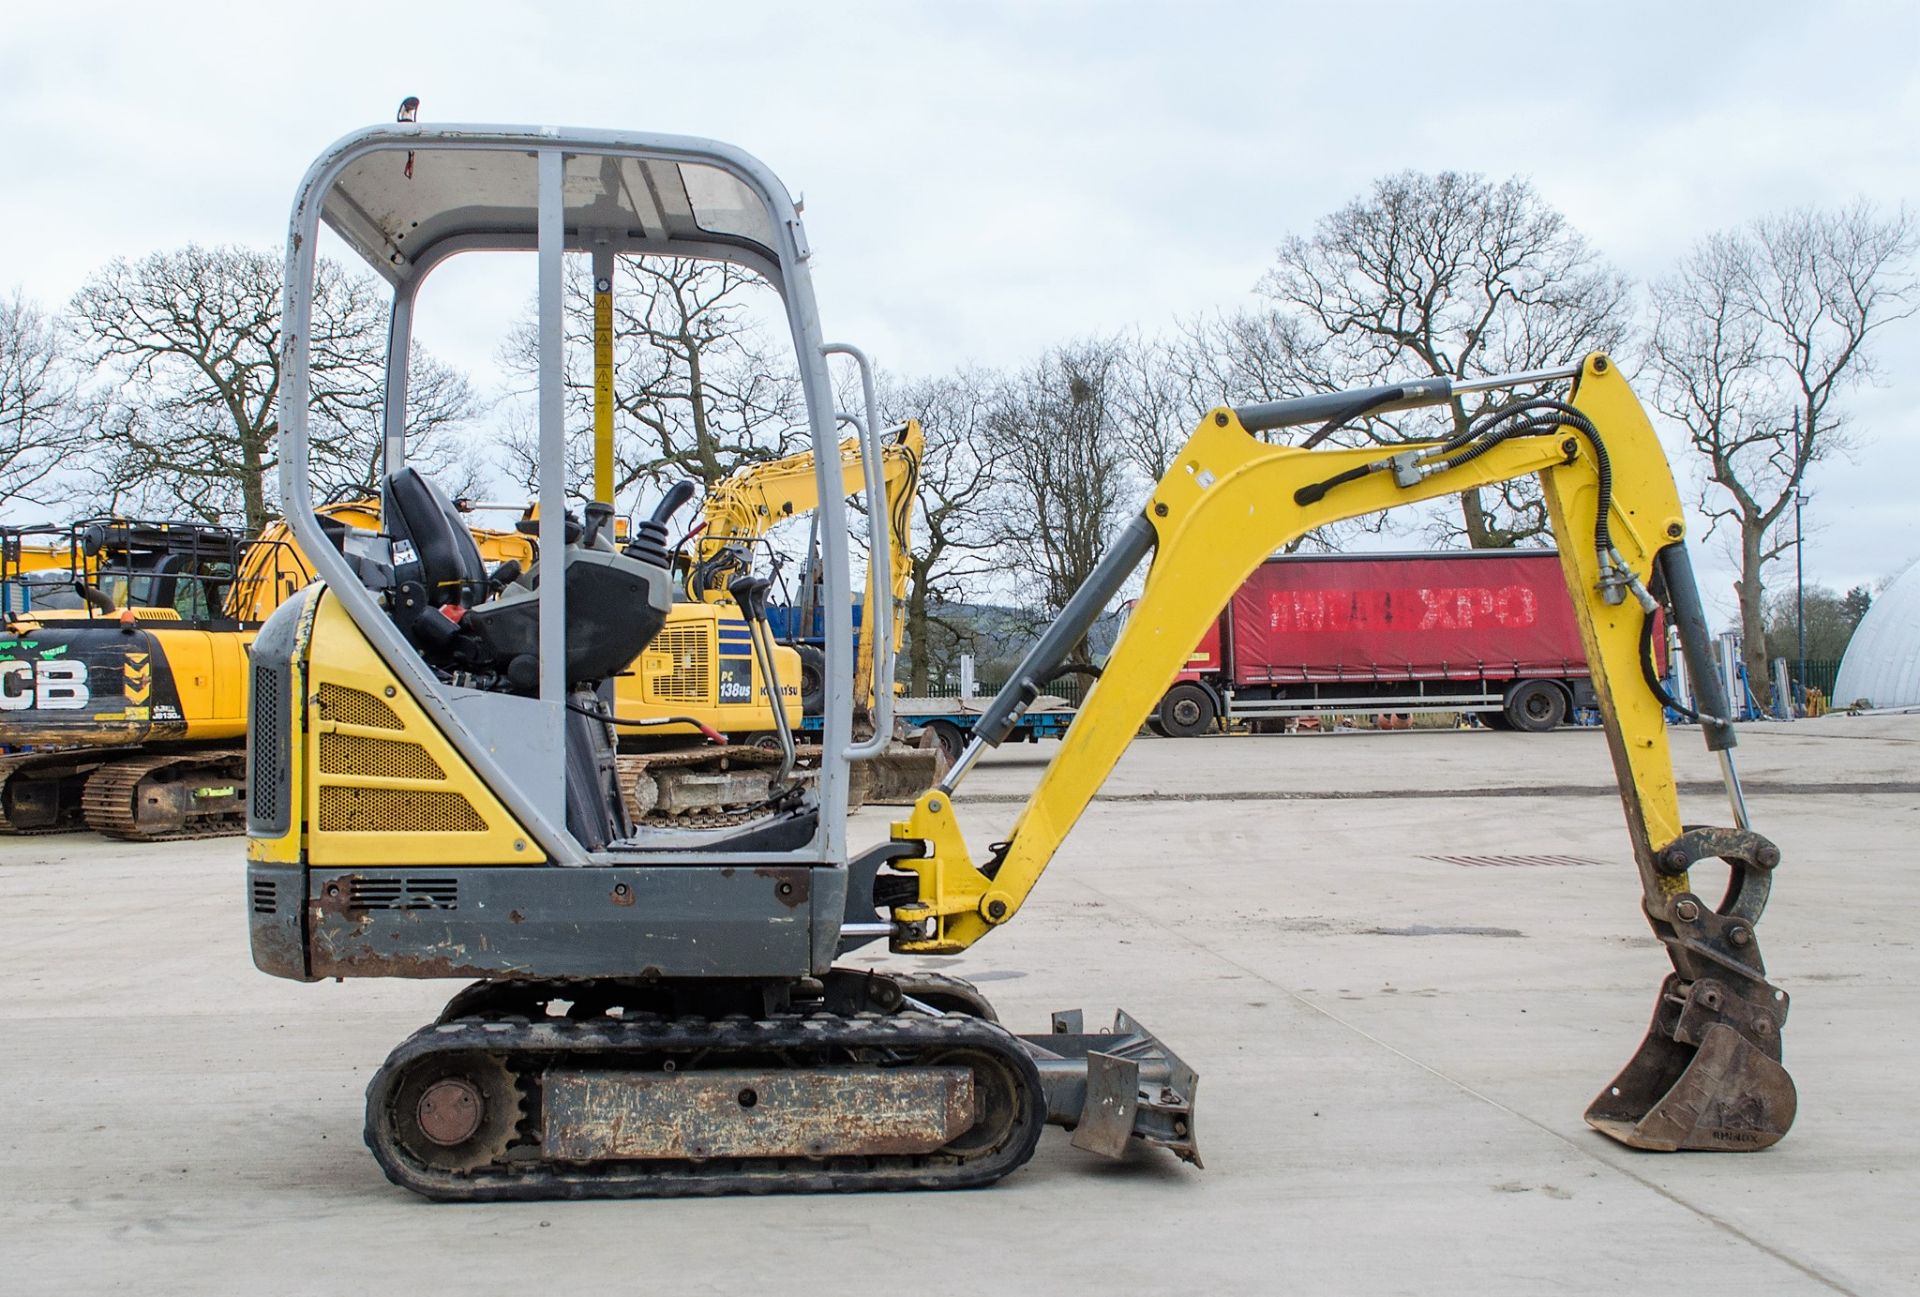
(124, 671)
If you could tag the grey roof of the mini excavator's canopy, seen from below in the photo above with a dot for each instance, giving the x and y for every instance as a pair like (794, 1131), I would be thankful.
(406, 199)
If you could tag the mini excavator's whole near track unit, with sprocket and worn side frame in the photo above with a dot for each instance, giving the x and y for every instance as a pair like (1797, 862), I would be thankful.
(443, 1123)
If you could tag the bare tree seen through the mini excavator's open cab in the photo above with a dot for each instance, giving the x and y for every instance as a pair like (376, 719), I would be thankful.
(700, 389)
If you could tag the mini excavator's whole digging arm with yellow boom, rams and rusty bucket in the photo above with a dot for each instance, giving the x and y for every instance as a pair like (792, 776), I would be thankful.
(1226, 506)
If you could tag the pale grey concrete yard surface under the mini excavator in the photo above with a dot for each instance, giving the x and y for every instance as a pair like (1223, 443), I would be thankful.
(1395, 1052)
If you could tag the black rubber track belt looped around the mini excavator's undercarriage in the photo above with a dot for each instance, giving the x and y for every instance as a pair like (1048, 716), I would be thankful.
(531, 1047)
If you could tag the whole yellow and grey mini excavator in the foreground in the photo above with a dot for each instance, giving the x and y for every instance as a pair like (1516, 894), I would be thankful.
(661, 1012)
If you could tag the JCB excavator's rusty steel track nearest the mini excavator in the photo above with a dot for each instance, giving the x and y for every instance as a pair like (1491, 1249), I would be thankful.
(126, 801)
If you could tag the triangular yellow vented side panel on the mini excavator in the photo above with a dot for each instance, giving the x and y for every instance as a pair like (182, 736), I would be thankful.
(381, 786)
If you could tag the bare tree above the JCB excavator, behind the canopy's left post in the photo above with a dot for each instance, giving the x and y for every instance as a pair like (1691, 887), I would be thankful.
(193, 346)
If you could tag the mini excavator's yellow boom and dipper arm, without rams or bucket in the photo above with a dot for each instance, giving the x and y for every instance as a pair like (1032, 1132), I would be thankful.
(1226, 506)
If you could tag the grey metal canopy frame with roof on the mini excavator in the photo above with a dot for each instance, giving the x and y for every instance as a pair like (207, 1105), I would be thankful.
(410, 197)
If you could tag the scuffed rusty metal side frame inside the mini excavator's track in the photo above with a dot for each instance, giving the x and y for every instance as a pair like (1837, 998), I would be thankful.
(830, 1112)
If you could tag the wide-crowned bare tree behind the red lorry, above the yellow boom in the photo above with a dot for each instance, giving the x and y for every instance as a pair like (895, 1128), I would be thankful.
(1445, 275)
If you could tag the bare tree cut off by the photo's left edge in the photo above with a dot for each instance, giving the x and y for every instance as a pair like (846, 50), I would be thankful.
(39, 402)
